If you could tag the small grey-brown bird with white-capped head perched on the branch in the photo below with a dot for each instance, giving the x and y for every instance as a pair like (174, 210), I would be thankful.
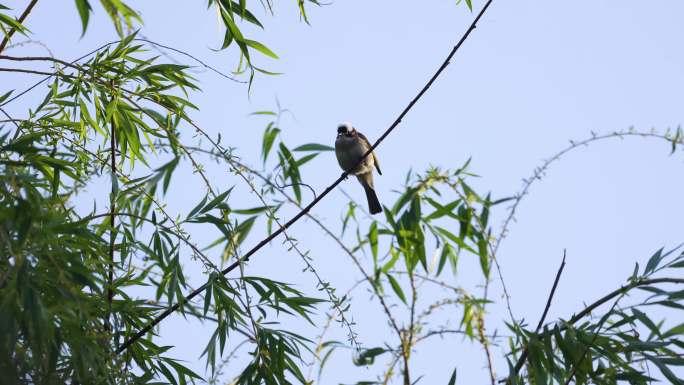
(350, 146)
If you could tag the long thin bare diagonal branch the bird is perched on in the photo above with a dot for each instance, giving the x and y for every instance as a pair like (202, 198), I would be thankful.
(325, 192)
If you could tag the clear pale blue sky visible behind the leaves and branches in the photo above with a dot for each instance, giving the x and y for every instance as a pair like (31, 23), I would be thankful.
(532, 76)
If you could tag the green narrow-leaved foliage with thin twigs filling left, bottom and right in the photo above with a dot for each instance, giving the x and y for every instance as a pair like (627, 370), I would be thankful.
(67, 312)
